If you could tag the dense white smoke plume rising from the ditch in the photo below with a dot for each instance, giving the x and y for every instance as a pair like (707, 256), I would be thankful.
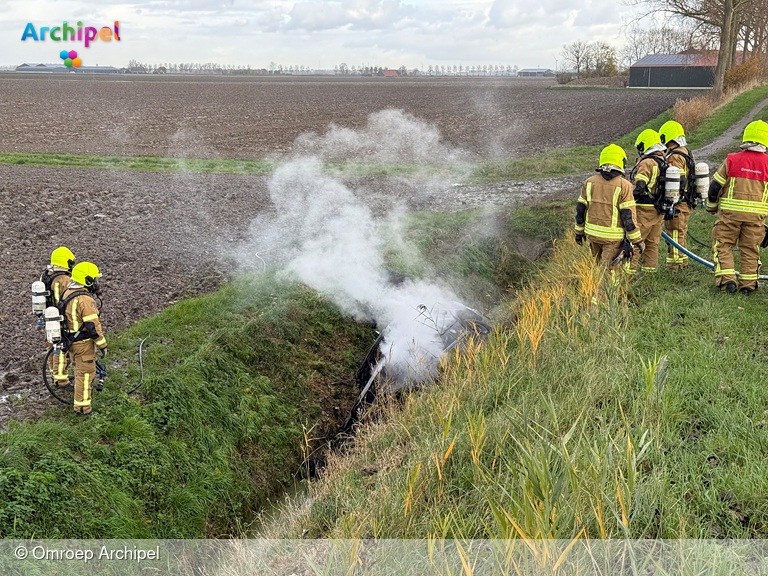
(323, 235)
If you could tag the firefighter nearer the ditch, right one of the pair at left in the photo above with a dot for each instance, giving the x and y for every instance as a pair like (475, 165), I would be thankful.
(82, 317)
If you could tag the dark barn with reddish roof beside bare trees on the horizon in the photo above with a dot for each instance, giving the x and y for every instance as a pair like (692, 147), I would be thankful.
(684, 70)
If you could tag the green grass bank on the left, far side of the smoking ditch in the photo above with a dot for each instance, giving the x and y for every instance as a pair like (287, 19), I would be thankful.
(234, 380)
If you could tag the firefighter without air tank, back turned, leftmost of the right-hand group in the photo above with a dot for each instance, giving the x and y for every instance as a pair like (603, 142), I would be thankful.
(605, 213)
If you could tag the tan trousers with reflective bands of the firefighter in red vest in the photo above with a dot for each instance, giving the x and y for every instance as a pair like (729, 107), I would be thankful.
(727, 233)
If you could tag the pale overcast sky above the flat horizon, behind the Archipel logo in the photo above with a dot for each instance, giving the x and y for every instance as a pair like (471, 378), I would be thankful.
(317, 33)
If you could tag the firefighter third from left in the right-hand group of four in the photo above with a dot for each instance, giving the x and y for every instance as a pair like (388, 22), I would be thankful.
(673, 136)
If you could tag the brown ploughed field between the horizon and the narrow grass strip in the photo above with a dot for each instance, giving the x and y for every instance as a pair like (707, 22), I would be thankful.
(250, 118)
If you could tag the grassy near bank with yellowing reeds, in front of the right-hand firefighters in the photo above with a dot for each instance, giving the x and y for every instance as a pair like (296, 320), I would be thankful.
(643, 415)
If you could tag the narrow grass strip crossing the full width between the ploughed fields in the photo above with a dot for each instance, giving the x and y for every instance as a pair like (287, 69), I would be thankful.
(551, 162)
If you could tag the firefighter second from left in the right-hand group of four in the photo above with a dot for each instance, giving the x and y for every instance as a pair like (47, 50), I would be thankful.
(648, 196)
